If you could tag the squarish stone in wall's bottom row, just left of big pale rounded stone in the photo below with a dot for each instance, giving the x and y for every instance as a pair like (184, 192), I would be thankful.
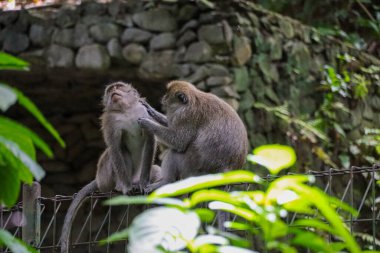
(59, 56)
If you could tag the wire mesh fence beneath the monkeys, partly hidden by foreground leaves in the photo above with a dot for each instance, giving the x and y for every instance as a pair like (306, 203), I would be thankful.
(40, 223)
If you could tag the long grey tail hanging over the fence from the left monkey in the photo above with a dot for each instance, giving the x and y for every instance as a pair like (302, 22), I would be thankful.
(71, 213)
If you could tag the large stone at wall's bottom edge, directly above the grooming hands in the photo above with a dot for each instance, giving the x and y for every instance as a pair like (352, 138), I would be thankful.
(157, 66)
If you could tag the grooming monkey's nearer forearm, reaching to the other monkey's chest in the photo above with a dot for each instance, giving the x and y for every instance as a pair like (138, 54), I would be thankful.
(176, 139)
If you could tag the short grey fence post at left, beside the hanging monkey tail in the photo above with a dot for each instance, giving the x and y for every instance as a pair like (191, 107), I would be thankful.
(31, 210)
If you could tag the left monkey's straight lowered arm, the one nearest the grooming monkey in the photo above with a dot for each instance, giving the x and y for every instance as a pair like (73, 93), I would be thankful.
(147, 157)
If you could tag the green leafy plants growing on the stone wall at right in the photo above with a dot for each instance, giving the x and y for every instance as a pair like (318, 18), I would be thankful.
(324, 131)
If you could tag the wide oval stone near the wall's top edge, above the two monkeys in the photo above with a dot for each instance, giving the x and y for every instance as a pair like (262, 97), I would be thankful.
(157, 20)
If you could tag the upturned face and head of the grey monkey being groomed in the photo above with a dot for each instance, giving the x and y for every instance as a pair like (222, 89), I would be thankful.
(119, 96)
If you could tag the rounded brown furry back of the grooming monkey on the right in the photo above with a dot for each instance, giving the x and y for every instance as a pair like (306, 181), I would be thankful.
(222, 134)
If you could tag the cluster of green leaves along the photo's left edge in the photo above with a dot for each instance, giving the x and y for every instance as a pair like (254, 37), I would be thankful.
(18, 148)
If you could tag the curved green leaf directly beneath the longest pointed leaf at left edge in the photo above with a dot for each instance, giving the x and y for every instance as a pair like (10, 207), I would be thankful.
(10, 126)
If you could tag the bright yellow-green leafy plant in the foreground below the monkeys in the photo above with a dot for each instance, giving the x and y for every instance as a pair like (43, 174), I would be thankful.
(260, 213)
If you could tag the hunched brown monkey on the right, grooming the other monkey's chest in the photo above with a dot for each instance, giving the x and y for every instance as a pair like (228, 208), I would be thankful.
(204, 134)
